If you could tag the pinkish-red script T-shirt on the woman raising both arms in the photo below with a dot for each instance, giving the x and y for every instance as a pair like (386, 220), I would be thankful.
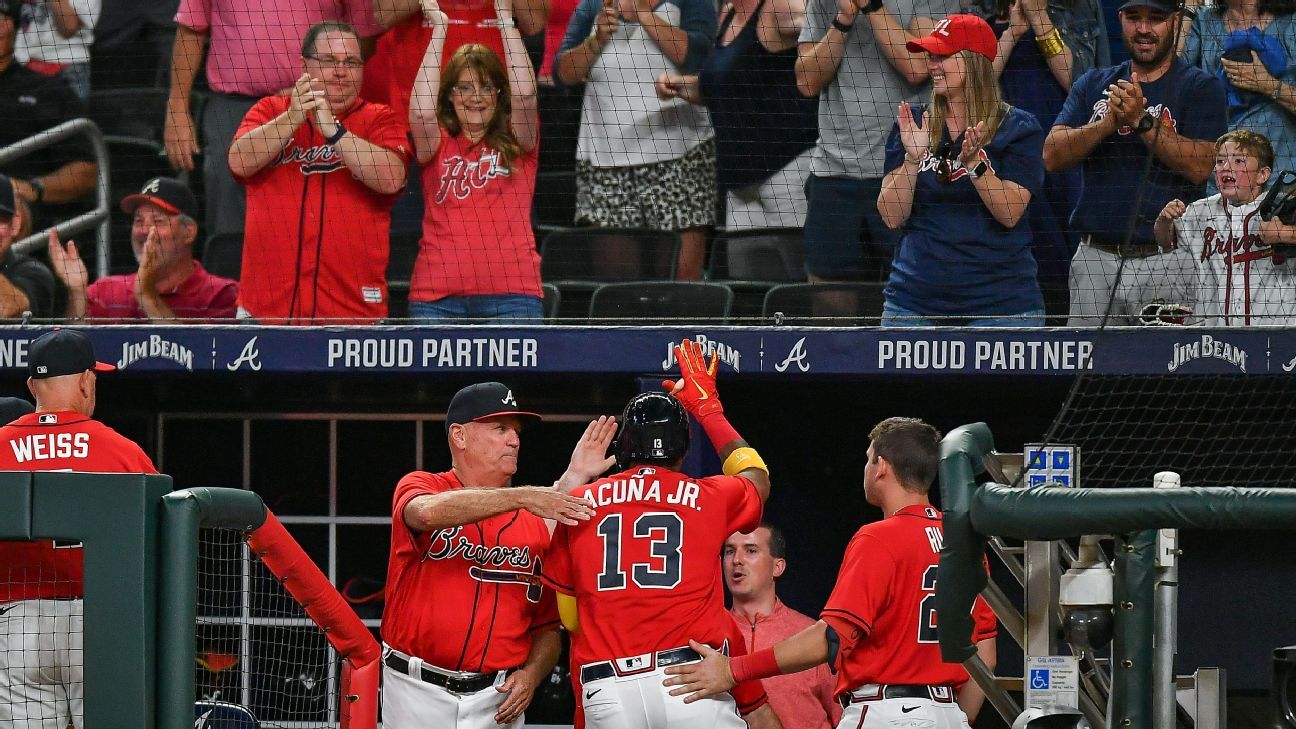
(478, 235)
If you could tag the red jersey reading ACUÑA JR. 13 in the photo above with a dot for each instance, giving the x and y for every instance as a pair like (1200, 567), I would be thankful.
(646, 569)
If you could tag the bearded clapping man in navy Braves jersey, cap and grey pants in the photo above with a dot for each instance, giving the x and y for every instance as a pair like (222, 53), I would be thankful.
(1114, 119)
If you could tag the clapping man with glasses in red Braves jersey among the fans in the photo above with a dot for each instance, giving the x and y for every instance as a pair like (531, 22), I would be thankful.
(323, 168)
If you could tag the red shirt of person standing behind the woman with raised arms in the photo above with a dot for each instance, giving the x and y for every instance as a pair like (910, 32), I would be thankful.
(399, 53)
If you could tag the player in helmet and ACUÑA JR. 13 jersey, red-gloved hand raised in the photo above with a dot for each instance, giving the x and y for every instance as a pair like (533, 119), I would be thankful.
(643, 571)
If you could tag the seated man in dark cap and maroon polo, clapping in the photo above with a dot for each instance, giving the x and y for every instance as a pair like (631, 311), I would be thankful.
(170, 283)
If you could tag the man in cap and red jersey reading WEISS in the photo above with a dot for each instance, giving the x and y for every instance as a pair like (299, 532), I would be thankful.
(41, 583)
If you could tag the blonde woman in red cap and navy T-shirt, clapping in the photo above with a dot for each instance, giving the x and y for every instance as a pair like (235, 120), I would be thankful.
(960, 178)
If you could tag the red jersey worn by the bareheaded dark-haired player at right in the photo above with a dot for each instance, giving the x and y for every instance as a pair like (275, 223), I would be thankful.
(885, 609)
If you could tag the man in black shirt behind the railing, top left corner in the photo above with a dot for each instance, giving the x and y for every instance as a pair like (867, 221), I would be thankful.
(54, 178)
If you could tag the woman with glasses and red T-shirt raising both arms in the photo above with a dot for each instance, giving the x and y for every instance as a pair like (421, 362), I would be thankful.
(475, 128)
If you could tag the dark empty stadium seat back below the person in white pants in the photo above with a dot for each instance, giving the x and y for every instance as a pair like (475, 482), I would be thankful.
(760, 255)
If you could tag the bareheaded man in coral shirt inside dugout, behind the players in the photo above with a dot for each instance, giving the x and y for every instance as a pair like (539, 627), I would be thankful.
(752, 564)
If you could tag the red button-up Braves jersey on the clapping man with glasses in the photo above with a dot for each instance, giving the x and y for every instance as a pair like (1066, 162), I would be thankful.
(316, 245)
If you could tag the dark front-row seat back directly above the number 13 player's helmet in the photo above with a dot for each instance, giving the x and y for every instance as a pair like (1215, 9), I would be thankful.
(662, 303)
